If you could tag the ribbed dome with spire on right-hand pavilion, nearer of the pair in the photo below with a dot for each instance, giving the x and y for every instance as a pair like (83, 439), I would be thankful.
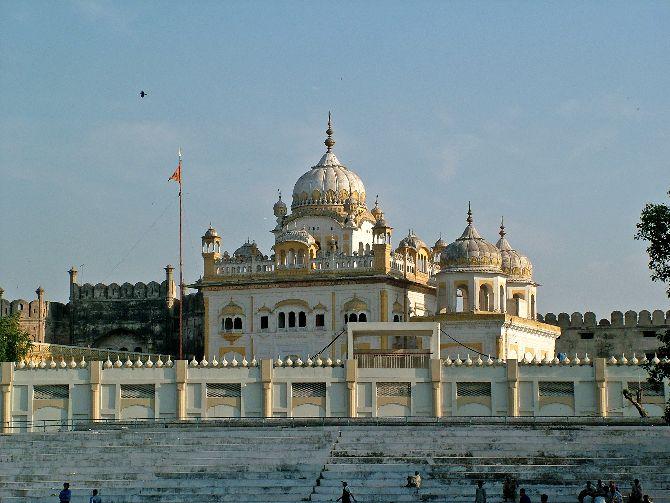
(471, 252)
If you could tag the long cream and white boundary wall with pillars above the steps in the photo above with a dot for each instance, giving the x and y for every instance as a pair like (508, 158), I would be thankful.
(35, 398)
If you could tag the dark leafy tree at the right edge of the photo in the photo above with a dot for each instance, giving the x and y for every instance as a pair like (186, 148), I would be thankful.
(654, 228)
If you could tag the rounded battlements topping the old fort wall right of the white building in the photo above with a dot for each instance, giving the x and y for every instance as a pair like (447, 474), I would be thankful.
(629, 319)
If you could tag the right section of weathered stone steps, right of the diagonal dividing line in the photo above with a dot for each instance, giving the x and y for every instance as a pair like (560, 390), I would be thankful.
(451, 459)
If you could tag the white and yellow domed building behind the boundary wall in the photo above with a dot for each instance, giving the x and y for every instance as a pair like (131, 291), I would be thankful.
(333, 263)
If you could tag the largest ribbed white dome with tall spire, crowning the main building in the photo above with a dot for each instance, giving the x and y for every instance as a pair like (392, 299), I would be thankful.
(329, 183)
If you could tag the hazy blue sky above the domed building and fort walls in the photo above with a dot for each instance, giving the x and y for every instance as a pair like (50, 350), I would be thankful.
(555, 115)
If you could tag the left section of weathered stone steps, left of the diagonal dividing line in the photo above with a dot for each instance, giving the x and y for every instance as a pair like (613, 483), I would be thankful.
(167, 465)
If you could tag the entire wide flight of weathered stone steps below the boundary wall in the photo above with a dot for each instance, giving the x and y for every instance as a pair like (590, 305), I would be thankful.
(195, 462)
